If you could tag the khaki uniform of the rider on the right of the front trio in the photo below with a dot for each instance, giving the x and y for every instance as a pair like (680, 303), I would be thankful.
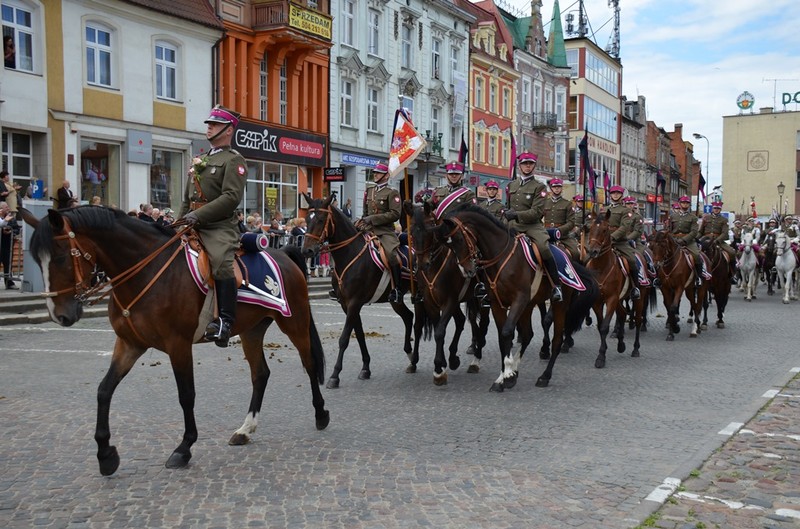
(527, 198)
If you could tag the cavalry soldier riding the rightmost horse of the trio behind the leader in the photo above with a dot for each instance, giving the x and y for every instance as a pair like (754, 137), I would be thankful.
(526, 200)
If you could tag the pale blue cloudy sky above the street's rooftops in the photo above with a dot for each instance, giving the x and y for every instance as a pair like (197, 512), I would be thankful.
(692, 58)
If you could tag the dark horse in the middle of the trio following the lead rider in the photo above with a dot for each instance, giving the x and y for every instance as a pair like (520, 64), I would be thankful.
(442, 288)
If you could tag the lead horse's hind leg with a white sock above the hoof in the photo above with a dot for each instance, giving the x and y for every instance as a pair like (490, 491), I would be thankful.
(252, 341)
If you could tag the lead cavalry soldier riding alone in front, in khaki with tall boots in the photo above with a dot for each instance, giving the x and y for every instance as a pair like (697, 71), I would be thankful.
(214, 190)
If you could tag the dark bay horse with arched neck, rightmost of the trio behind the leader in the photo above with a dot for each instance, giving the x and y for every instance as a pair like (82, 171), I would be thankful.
(480, 241)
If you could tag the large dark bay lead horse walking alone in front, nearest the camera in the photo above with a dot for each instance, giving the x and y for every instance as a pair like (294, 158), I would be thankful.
(156, 303)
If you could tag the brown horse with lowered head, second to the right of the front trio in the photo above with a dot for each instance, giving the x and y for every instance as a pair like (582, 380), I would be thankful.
(677, 275)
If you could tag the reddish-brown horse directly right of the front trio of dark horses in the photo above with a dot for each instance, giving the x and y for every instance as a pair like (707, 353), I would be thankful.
(614, 287)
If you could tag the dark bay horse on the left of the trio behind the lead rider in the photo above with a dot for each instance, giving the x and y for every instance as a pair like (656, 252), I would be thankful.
(356, 279)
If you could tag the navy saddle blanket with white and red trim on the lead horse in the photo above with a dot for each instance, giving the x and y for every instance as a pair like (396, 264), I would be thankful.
(266, 286)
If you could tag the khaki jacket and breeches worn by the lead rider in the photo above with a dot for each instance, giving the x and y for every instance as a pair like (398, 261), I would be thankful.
(221, 188)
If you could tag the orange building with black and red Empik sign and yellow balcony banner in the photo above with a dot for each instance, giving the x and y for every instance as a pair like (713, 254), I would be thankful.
(272, 67)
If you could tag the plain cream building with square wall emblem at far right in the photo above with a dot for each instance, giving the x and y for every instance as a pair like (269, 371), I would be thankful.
(759, 153)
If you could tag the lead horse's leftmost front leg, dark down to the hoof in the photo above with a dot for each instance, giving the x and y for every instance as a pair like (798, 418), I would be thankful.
(123, 359)
